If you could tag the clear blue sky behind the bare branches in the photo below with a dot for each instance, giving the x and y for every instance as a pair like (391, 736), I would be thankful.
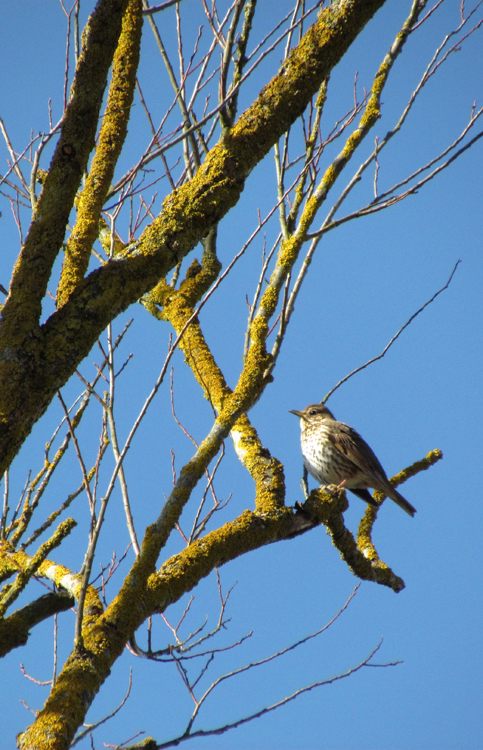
(367, 279)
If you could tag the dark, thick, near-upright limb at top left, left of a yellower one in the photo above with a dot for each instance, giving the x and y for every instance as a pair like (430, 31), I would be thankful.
(22, 310)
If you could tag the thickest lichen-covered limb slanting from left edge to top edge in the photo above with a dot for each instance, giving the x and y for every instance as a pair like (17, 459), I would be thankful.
(34, 369)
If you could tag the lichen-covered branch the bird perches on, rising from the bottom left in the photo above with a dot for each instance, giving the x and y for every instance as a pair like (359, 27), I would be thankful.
(146, 591)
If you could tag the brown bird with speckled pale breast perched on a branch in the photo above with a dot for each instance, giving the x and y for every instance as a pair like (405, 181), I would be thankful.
(334, 453)
